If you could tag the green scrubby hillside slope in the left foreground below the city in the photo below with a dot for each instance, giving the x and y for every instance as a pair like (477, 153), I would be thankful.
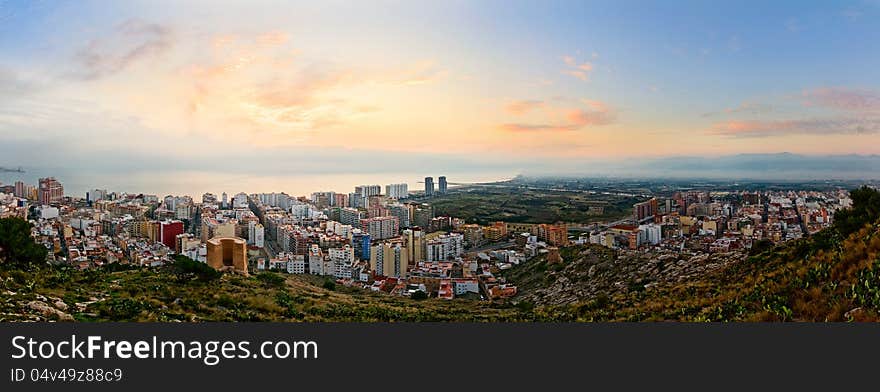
(169, 294)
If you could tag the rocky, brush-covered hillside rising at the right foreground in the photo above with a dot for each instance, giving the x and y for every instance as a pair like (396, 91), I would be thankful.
(833, 275)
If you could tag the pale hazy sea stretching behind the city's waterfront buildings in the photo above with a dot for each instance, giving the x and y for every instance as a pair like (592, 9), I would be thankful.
(195, 183)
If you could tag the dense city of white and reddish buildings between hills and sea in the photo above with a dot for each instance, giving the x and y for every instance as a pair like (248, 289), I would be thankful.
(390, 239)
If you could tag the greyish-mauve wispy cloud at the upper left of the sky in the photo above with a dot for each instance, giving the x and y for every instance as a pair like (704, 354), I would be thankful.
(129, 42)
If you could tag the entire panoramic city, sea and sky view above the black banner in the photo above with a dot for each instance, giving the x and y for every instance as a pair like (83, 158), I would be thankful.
(446, 161)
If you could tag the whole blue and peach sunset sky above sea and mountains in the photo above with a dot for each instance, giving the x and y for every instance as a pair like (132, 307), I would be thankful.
(341, 86)
